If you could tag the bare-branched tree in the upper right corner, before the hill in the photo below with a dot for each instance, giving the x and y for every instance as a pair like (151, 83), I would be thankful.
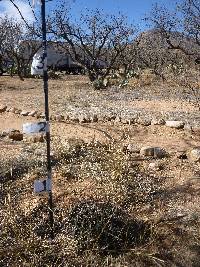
(180, 29)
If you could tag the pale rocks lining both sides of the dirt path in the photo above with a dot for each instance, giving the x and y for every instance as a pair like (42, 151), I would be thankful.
(156, 152)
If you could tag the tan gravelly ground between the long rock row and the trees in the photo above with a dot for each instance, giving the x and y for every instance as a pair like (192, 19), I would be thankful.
(74, 95)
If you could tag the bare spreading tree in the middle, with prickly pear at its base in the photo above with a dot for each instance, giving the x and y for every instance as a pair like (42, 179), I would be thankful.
(96, 41)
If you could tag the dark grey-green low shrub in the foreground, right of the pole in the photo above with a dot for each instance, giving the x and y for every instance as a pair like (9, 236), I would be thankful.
(105, 228)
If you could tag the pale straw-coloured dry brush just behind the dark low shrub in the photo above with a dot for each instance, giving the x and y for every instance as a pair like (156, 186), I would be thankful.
(117, 176)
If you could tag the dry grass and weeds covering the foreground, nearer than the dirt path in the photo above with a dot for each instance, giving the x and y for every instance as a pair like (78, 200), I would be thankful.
(98, 191)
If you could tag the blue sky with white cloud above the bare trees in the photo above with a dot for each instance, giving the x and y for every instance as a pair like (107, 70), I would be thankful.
(135, 10)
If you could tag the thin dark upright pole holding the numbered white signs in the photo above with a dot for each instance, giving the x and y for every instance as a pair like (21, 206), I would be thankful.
(45, 82)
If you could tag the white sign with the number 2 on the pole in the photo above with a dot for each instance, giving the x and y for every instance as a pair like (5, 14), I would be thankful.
(39, 127)
